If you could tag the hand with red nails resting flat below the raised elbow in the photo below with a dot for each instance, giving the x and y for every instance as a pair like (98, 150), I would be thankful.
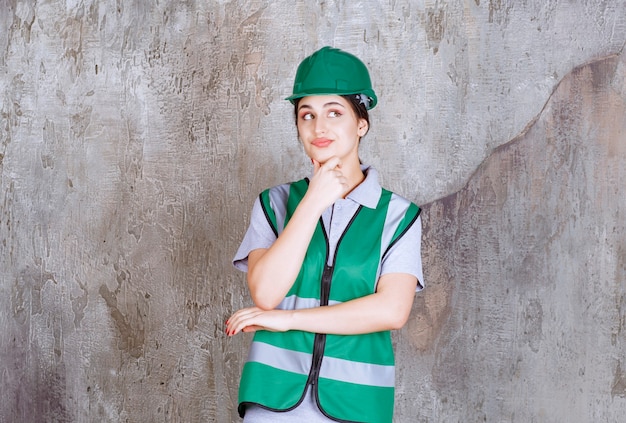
(253, 318)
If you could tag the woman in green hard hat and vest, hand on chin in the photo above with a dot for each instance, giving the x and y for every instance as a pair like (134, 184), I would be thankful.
(333, 263)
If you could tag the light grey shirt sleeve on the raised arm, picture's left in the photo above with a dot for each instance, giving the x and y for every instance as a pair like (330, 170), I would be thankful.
(258, 235)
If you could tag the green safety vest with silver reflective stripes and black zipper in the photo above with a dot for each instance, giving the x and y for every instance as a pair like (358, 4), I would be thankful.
(352, 376)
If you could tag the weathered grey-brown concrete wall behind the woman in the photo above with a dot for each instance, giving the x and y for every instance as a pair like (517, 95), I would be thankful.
(135, 135)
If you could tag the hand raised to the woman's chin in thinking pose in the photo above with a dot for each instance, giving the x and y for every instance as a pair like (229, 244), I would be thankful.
(328, 183)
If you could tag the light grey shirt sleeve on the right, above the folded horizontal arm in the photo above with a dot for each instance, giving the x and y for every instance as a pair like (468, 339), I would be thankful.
(405, 255)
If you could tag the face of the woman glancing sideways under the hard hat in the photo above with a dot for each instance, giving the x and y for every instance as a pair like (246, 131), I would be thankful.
(328, 127)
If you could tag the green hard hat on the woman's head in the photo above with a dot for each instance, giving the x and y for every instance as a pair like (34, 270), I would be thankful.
(333, 71)
